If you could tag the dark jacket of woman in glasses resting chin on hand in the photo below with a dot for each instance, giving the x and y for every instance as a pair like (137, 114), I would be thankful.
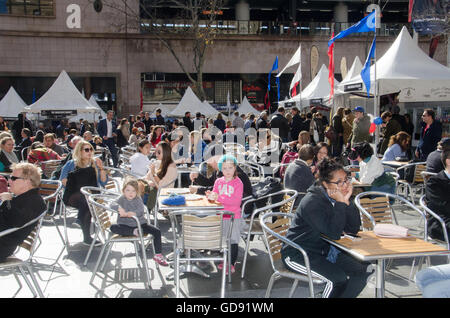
(315, 217)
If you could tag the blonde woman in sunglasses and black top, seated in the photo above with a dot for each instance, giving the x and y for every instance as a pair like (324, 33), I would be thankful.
(82, 170)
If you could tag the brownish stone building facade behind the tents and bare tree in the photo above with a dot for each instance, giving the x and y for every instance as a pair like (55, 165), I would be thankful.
(107, 54)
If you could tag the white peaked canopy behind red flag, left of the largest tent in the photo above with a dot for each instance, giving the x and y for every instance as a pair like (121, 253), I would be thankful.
(319, 88)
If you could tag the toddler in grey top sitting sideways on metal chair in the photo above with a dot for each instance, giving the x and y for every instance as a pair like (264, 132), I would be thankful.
(130, 204)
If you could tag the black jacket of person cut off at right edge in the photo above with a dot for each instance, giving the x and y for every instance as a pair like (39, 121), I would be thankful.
(437, 197)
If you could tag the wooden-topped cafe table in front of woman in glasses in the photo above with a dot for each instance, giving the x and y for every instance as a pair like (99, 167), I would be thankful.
(374, 248)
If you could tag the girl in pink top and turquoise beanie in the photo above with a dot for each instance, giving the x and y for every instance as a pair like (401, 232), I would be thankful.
(229, 190)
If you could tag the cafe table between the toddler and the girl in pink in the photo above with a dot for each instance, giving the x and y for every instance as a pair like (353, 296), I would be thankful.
(194, 205)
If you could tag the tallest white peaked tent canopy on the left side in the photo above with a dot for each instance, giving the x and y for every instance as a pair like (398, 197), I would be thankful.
(62, 96)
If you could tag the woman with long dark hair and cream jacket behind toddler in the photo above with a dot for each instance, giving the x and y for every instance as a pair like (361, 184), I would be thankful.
(161, 174)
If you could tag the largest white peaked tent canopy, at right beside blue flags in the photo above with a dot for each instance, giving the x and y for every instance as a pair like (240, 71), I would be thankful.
(405, 68)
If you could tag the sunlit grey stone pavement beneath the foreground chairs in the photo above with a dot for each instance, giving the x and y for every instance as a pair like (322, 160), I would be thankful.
(62, 274)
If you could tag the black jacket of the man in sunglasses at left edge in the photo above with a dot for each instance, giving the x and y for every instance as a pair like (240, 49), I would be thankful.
(15, 213)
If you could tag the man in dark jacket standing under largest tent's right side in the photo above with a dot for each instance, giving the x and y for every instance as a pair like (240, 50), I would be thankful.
(430, 134)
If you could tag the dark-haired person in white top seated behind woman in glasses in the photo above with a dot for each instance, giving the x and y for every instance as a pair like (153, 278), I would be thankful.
(371, 170)
